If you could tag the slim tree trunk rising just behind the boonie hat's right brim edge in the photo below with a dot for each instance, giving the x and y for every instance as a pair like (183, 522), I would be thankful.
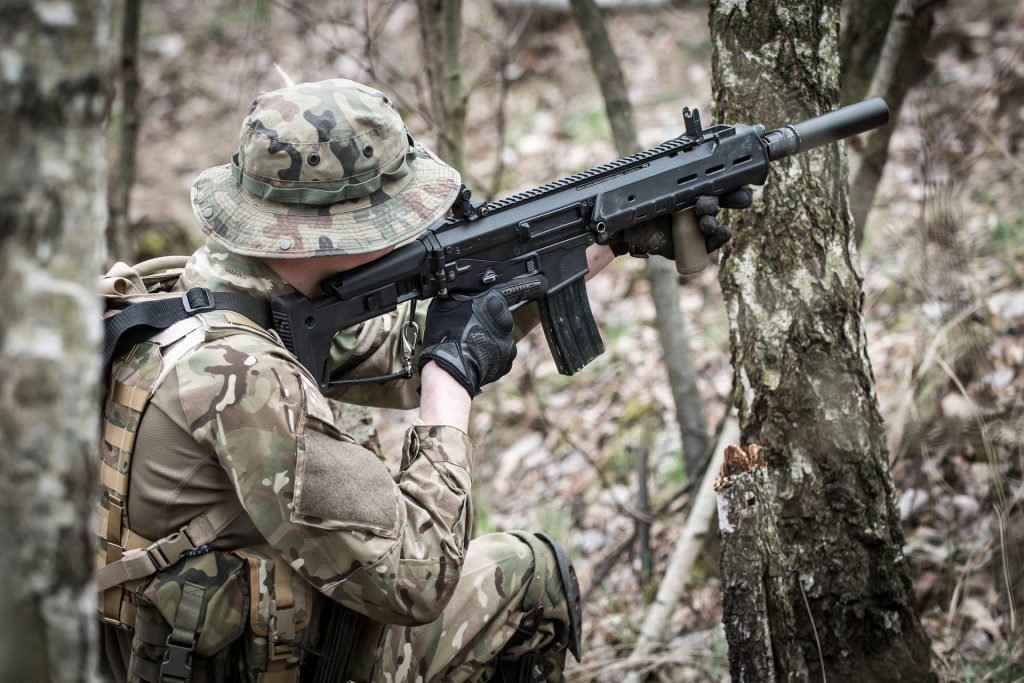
(441, 29)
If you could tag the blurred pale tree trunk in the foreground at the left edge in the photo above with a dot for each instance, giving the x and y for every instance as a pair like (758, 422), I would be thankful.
(52, 249)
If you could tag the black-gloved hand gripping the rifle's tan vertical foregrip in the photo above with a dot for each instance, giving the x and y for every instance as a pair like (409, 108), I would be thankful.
(655, 238)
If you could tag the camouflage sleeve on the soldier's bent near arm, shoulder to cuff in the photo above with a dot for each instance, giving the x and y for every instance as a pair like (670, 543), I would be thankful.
(389, 546)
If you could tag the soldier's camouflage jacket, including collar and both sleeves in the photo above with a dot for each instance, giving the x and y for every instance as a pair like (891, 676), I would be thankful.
(390, 546)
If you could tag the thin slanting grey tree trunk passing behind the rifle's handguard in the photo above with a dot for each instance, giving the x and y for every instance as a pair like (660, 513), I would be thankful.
(661, 273)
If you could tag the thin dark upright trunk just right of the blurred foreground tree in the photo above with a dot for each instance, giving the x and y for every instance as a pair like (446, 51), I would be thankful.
(119, 231)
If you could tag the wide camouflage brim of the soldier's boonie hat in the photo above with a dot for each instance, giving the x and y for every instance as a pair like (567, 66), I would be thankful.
(400, 211)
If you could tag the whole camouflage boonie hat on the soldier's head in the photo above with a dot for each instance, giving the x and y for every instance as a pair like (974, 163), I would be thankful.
(323, 169)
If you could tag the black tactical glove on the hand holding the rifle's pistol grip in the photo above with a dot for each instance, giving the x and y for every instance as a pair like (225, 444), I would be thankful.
(471, 338)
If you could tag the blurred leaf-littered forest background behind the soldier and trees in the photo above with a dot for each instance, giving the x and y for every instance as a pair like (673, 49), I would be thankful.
(942, 258)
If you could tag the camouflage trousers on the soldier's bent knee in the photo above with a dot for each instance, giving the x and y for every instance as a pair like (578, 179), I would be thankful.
(504, 578)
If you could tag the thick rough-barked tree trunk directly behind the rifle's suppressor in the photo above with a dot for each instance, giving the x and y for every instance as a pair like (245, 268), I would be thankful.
(803, 381)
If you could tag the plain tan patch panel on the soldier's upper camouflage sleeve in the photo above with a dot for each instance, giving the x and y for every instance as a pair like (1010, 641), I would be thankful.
(339, 485)
